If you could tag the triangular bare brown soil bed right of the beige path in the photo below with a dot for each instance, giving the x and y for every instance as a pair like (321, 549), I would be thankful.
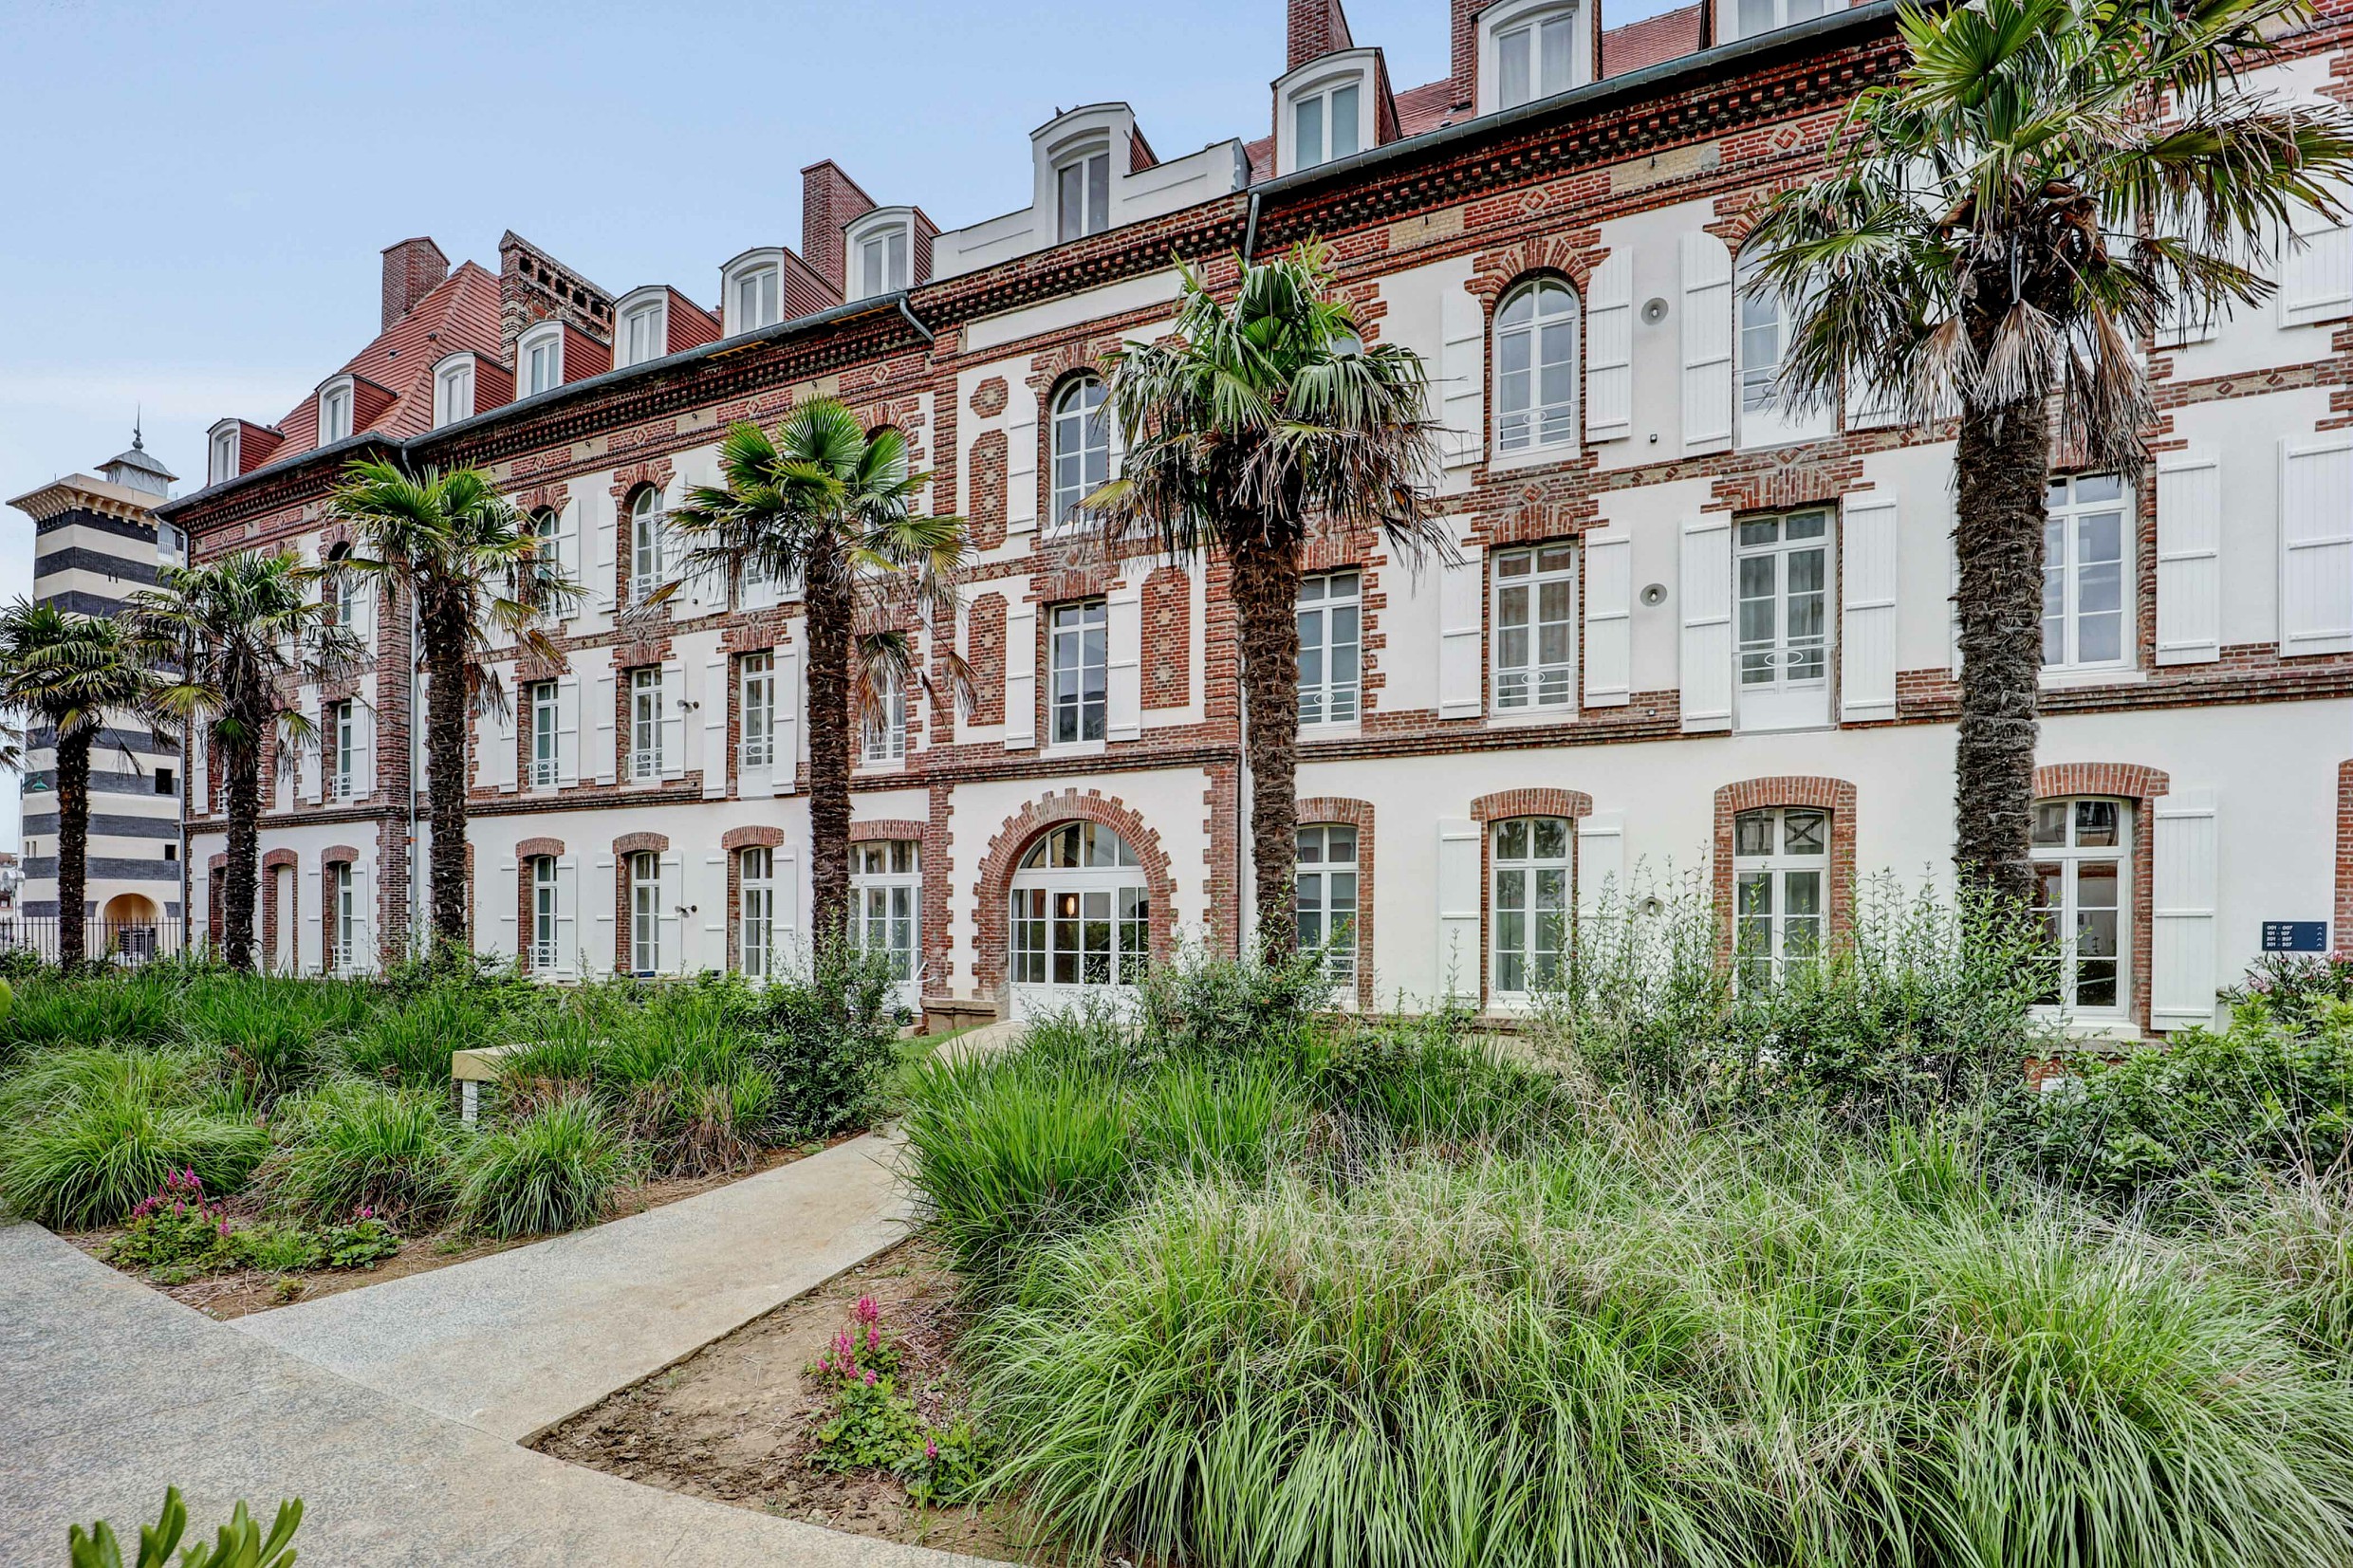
(738, 1421)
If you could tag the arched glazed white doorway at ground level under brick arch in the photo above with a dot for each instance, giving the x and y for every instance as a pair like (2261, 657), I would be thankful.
(1079, 920)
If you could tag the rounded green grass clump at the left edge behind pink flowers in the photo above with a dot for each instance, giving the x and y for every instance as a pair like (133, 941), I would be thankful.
(91, 1132)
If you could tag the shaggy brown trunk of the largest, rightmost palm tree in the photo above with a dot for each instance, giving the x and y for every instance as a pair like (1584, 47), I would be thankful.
(2004, 469)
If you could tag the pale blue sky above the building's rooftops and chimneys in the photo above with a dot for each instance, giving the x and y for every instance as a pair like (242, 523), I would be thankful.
(192, 199)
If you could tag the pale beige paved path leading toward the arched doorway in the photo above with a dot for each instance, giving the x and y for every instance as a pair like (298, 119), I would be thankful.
(526, 1339)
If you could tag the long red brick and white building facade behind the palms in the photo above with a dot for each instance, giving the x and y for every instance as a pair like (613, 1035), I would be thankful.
(2204, 699)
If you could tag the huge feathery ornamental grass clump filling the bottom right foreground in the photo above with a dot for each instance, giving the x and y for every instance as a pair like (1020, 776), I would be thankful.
(1662, 1351)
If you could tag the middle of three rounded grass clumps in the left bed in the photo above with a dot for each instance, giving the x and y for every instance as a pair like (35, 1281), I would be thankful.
(359, 1146)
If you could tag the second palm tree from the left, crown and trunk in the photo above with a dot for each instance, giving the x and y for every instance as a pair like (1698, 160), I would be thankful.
(229, 643)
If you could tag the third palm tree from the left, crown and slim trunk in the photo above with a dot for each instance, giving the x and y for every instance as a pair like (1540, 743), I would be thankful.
(455, 549)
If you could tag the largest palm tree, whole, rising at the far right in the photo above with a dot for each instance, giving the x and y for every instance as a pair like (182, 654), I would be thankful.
(1994, 236)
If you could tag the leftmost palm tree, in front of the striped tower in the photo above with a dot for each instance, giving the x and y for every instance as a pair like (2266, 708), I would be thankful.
(72, 676)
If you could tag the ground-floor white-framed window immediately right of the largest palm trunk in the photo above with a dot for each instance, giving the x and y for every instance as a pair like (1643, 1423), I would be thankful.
(2084, 899)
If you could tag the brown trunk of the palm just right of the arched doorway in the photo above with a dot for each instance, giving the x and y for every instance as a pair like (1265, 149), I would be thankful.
(1267, 601)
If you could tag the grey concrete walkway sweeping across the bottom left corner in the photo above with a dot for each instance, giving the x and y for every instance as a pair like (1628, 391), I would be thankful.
(112, 1391)
